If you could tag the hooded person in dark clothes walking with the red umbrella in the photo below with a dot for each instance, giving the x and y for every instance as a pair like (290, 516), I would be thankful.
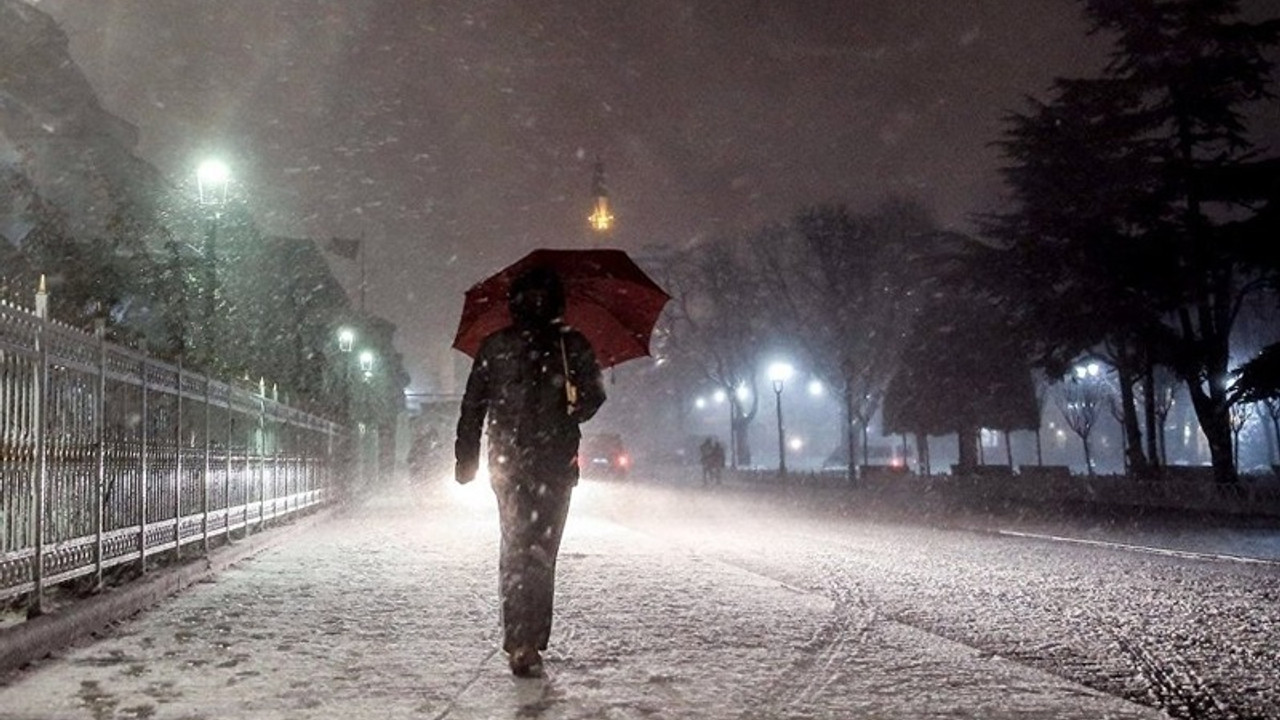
(531, 388)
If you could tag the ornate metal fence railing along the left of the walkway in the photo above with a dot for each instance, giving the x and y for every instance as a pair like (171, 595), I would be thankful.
(109, 458)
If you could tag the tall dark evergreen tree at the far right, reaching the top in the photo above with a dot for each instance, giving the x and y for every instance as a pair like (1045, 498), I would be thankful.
(1124, 229)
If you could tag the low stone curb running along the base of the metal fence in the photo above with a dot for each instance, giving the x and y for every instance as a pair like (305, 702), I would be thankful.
(42, 637)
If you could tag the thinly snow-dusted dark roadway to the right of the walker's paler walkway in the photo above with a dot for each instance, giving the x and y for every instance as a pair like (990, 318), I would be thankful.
(1178, 619)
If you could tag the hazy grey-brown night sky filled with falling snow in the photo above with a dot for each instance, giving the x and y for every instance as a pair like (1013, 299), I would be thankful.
(458, 135)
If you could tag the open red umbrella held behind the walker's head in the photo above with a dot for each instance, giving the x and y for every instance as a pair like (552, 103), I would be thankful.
(607, 298)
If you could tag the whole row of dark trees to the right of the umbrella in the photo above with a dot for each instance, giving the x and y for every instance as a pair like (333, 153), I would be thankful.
(1140, 236)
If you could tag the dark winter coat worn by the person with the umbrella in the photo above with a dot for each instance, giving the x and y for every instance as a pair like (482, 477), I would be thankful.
(518, 385)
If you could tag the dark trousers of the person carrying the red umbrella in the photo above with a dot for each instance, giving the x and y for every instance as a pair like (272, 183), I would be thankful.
(533, 521)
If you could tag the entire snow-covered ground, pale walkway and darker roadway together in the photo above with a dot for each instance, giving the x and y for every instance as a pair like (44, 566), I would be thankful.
(685, 604)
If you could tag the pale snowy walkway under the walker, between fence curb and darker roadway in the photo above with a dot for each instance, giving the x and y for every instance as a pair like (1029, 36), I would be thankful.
(391, 612)
